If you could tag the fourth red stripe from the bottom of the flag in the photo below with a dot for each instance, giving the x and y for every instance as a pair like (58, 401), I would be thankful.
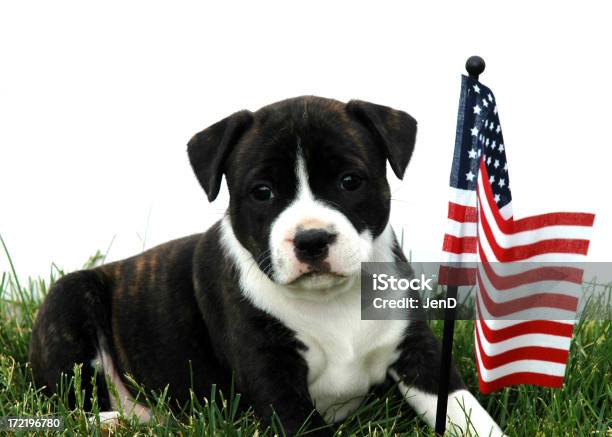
(539, 300)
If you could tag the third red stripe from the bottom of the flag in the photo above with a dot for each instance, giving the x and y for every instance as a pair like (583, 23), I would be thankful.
(528, 327)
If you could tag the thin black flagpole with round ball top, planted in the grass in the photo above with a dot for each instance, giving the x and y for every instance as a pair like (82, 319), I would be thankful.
(475, 66)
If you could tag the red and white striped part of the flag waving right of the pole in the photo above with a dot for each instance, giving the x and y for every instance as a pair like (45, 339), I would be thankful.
(537, 357)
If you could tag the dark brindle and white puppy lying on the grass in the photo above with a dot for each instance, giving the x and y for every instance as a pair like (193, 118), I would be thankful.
(270, 295)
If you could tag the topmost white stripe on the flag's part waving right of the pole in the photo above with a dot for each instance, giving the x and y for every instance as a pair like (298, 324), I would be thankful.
(528, 237)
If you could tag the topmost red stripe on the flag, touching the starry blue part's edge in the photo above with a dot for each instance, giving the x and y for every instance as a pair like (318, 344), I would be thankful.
(511, 226)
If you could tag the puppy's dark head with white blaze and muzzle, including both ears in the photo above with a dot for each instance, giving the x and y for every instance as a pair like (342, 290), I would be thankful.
(307, 183)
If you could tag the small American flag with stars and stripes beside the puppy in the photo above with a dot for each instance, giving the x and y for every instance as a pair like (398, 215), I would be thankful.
(483, 236)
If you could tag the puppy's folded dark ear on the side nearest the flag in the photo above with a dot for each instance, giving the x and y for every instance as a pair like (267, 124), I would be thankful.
(395, 130)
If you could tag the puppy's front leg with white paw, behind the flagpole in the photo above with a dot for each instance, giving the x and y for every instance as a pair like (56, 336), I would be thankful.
(417, 373)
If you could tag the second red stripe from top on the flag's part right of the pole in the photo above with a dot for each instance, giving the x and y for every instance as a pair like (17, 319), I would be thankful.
(517, 253)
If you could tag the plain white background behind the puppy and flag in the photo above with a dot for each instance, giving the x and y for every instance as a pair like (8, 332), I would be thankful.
(97, 103)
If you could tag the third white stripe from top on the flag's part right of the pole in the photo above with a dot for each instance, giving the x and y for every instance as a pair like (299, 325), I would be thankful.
(541, 287)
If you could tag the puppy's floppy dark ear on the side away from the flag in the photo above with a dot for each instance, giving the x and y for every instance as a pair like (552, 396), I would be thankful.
(209, 149)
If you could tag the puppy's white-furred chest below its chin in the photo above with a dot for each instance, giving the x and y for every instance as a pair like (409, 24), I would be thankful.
(345, 355)
